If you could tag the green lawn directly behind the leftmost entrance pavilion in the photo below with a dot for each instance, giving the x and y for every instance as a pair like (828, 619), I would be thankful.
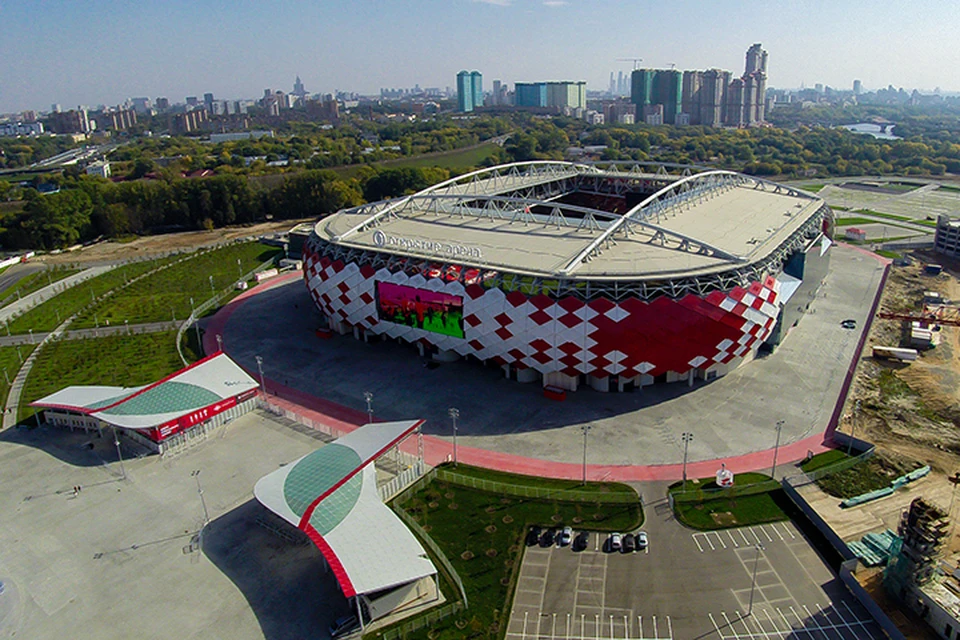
(123, 361)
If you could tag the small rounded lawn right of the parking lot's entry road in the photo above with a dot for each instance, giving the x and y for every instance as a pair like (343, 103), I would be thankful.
(708, 507)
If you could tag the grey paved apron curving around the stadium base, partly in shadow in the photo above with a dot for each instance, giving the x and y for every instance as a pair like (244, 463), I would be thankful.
(799, 383)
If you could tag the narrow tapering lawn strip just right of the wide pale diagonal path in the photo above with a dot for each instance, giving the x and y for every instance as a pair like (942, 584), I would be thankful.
(46, 316)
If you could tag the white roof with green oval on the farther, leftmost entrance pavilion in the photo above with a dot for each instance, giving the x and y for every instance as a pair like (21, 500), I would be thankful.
(202, 384)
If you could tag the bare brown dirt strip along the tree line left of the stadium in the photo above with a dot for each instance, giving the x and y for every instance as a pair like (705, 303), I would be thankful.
(112, 251)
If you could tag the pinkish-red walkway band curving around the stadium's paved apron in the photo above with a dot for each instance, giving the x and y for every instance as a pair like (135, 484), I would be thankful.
(436, 450)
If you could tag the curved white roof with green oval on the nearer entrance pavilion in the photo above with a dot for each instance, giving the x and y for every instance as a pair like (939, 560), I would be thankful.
(331, 495)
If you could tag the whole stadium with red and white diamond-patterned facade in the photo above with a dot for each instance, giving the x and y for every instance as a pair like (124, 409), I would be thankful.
(610, 275)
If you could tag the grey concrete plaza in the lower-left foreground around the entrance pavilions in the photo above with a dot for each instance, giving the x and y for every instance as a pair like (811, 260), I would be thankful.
(122, 558)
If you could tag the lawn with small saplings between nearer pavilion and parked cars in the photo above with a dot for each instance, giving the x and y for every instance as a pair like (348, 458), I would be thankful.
(482, 534)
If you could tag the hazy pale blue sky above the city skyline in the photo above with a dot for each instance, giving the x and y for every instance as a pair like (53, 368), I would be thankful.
(104, 51)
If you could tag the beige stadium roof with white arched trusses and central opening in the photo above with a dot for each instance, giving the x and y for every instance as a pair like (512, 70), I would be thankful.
(691, 225)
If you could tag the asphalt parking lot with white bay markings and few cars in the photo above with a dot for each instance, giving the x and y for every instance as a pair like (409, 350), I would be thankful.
(686, 584)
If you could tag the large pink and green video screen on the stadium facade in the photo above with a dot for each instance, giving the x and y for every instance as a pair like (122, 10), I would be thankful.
(432, 311)
